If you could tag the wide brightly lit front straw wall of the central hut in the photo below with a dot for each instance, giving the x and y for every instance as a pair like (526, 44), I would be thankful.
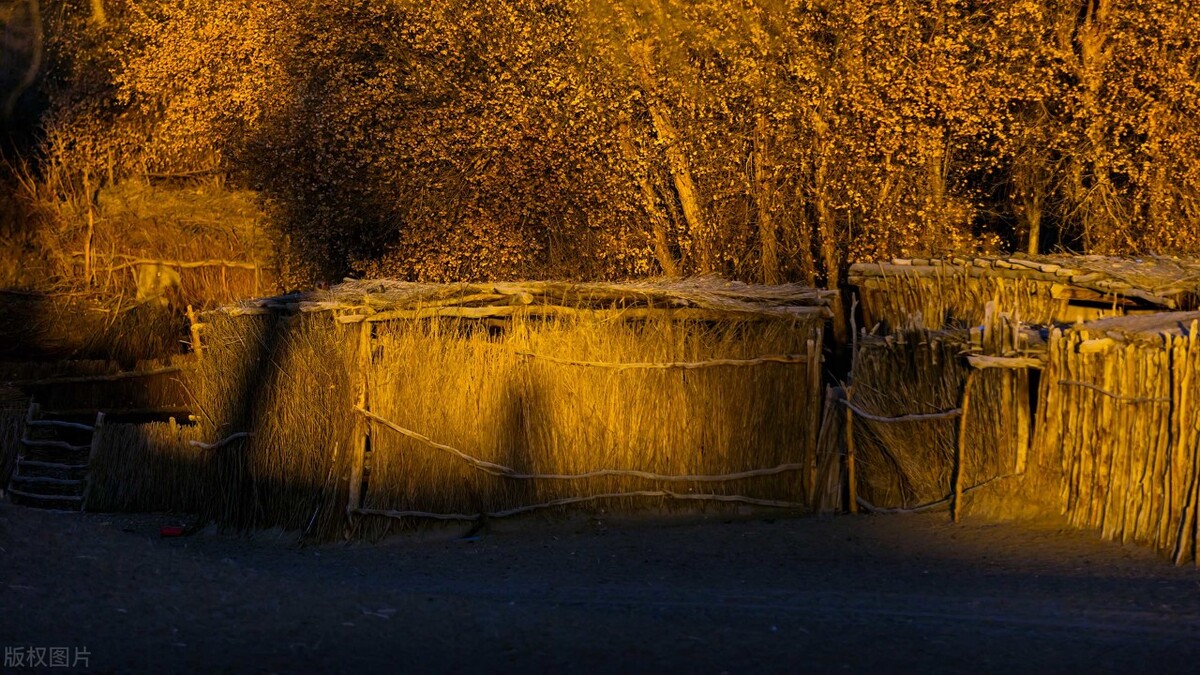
(578, 396)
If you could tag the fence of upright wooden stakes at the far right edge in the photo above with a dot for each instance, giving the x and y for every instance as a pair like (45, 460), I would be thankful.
(1121, 399)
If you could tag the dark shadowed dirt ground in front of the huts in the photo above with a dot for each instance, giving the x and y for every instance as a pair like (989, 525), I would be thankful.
(706, 595)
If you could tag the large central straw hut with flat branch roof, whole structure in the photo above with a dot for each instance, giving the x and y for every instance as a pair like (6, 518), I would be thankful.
(380, 402)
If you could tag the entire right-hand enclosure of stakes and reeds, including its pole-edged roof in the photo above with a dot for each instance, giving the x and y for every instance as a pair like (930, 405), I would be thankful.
(1101, 362)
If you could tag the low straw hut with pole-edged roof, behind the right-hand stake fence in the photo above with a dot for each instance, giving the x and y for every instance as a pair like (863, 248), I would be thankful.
(1039, 290)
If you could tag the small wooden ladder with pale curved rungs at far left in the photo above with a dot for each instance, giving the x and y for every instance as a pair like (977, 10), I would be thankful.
(52, 463)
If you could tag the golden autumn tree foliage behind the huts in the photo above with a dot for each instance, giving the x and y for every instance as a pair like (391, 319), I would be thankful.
(760, 140)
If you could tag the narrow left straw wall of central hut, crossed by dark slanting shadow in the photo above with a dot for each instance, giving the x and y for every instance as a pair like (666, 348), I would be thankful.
(274, 396)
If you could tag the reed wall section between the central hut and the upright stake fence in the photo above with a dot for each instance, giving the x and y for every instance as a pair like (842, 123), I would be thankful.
(908, 398)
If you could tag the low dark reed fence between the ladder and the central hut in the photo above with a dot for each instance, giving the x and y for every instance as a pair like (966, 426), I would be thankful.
(140, 468)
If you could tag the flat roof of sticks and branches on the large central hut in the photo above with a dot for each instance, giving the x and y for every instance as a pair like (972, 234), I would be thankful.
(687, 298)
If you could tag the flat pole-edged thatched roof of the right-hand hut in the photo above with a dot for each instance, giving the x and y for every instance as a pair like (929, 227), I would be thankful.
(1168, 283)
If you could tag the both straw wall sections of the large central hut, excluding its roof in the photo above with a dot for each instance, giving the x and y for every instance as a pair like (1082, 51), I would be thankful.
(494, 390)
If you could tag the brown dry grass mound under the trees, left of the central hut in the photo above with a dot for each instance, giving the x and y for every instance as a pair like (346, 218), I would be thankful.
(62, 313)
